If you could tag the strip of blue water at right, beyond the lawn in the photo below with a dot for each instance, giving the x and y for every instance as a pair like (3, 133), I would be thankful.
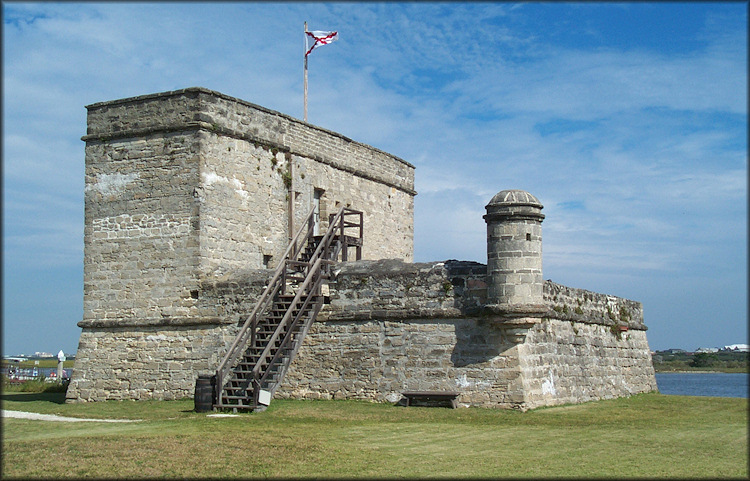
(703, 384)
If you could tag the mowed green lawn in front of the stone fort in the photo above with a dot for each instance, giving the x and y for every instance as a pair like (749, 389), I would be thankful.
(649, 435)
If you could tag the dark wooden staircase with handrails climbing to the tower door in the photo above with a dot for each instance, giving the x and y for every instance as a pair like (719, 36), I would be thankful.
(268, 341)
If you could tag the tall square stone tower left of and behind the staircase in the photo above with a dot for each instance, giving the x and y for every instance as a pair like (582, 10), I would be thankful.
(187, 186)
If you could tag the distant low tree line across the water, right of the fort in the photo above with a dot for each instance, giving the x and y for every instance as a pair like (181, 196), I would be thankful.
(724, 361)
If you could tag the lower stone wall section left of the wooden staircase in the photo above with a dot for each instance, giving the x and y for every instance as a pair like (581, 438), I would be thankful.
(161, 360)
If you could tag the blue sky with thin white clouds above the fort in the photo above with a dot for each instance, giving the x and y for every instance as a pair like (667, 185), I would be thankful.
(628, 121)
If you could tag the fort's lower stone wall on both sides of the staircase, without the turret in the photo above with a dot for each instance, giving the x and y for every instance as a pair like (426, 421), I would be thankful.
(392, 326)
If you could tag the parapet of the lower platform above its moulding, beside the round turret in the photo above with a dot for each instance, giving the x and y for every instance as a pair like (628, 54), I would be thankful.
(393, 289)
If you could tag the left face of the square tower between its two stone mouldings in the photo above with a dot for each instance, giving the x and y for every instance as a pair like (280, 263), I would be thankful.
(142, 229)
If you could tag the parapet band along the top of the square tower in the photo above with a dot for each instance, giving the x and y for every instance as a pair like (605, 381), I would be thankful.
(197, 108)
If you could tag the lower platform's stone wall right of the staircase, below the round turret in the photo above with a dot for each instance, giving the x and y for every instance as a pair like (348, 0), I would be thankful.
(392, 327)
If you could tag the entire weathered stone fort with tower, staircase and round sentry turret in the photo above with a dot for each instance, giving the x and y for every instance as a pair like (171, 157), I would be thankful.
(229, 242)
